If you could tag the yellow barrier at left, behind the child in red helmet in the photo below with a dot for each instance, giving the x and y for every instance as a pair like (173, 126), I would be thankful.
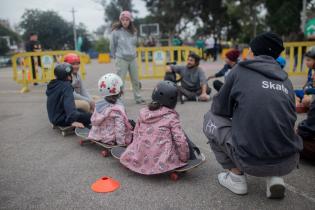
(42, 64)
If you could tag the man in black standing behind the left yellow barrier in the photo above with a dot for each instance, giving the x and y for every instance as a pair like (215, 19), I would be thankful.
(33, 45)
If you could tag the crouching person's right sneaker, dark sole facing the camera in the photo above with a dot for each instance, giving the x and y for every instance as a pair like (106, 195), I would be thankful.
(275, 187)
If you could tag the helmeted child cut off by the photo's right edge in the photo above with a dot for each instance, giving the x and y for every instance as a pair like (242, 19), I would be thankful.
(302, 96)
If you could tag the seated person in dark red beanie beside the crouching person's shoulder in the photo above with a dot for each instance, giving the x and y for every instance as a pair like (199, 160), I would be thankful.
(231, 59)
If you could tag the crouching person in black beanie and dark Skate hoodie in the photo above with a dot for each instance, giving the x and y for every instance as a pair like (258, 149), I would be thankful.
(250, 126)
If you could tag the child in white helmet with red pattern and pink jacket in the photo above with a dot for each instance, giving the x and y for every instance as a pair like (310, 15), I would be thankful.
(110, 124)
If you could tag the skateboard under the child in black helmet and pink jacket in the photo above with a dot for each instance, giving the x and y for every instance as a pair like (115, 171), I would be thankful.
(174, 174)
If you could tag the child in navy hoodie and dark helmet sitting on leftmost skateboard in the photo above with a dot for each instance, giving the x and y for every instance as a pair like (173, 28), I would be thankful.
(60, 101)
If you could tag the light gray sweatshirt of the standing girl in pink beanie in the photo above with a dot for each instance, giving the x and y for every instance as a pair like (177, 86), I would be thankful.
(123, 44)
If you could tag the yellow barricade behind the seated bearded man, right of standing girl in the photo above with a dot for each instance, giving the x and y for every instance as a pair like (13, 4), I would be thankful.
(152, 60)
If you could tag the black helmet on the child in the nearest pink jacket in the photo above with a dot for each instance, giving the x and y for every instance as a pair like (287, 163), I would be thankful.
(165, 94)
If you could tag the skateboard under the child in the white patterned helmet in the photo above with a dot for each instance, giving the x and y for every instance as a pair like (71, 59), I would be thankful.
(84, 133)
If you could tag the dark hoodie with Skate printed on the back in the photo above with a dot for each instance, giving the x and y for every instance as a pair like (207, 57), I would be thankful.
(259, 98)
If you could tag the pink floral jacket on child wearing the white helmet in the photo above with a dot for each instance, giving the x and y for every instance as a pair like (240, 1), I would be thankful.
(110, 124)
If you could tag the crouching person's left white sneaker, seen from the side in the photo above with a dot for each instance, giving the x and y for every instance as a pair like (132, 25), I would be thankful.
(235, 183)
